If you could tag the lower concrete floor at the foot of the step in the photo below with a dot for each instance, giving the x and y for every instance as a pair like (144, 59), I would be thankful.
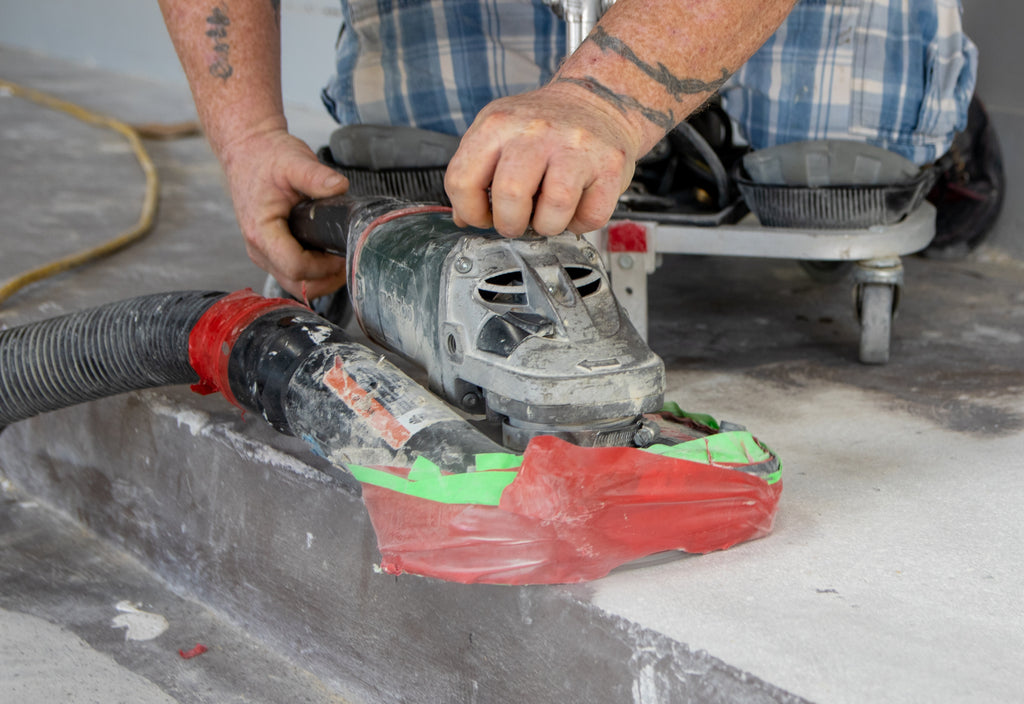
(84, 622)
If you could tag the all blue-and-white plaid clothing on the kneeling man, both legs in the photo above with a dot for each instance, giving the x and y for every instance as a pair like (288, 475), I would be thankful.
(899, 74)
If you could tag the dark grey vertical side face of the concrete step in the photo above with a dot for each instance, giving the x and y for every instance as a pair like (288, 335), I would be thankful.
(226, 511)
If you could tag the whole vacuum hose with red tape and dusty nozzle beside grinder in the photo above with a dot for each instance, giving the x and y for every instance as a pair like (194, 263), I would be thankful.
(271, 357)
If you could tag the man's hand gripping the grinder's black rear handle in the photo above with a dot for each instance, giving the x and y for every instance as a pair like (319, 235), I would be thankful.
(269, 172)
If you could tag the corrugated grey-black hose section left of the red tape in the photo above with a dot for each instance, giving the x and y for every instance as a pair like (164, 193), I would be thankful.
(136, 344)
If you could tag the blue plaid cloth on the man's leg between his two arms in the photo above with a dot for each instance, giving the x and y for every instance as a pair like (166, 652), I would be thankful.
(435, 64)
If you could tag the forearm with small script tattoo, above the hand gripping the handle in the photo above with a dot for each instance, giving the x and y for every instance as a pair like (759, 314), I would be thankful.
(231, 53)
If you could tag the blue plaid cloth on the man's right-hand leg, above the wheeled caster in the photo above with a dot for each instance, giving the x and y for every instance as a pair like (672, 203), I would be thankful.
(899, 74)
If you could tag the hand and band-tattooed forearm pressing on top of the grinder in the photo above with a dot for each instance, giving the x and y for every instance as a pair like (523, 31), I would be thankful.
(559, 158)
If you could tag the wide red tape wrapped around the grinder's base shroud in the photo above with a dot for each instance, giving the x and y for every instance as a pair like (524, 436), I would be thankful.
(572, 515)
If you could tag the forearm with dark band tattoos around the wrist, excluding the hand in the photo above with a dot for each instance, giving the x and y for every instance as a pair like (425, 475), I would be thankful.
(655, 62)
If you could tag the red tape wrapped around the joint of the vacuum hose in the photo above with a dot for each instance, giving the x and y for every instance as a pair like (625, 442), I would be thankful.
(214, 337)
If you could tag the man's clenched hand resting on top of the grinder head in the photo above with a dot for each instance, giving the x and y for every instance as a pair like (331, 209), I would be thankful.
(556, 159)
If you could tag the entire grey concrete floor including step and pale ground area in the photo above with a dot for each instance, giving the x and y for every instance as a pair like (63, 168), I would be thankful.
(893, 574)
